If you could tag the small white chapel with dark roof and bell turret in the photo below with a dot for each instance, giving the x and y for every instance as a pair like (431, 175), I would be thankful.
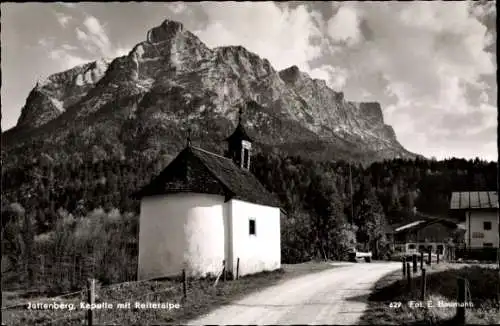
(203, 209)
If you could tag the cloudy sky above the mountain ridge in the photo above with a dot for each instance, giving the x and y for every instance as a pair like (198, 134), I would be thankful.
(431, 65)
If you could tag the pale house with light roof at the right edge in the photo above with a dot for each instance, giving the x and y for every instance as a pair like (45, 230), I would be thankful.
(478, 212)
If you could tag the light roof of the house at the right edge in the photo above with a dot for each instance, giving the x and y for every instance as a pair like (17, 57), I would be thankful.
(474, 200)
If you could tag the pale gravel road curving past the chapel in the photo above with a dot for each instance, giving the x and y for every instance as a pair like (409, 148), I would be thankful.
(335, 296)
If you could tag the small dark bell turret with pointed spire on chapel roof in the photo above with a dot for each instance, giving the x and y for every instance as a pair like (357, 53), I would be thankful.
(239, 147)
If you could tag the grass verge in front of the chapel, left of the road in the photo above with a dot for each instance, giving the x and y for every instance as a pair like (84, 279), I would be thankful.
(201, 299)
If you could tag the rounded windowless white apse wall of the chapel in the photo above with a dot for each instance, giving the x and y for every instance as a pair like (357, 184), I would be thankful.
(181, 231)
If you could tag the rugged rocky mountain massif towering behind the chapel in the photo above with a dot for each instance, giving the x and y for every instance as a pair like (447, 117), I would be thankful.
(143, 102)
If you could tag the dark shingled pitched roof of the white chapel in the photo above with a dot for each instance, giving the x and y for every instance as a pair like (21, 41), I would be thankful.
(201, 171)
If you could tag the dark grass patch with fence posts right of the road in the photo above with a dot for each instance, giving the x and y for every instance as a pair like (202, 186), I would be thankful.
(441, 287)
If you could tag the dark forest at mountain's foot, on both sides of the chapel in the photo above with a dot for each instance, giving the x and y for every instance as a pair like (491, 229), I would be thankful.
(84, 208)
